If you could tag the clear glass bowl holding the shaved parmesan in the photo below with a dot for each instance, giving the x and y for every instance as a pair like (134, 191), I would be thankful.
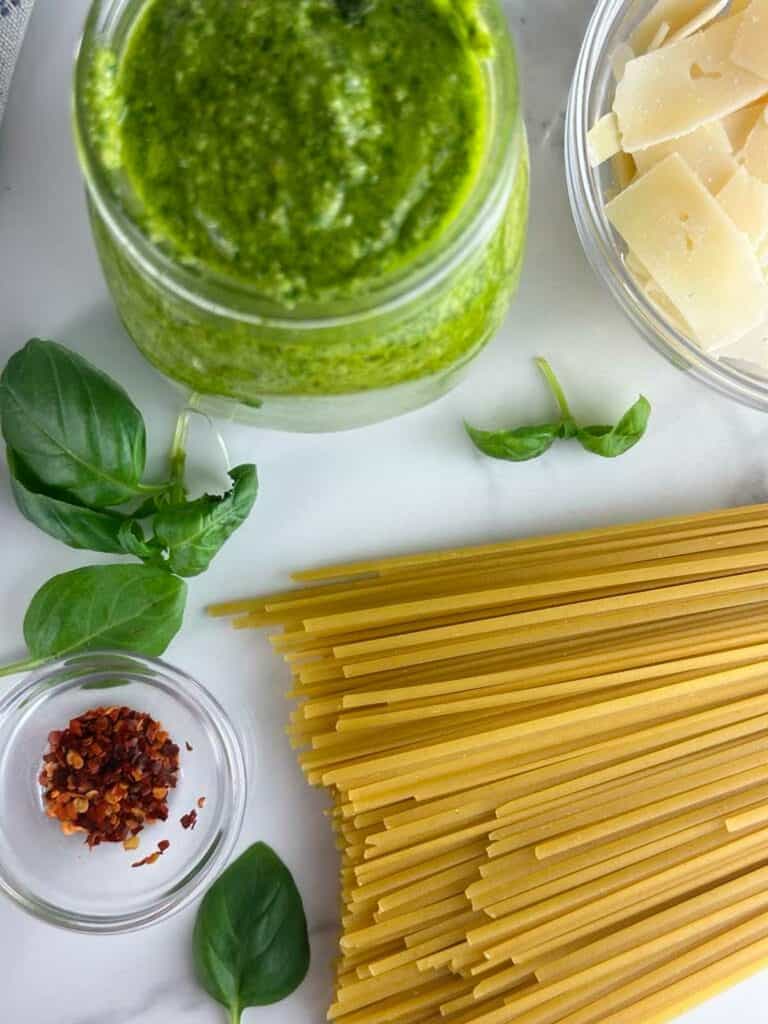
(591, 97)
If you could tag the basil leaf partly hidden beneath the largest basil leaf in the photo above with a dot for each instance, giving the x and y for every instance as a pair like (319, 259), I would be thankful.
(60, 517)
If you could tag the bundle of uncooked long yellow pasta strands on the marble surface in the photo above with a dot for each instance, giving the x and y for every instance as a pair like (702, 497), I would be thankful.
(548, 761)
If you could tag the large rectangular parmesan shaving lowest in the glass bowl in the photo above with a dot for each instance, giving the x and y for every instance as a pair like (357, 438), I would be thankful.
(701, 261)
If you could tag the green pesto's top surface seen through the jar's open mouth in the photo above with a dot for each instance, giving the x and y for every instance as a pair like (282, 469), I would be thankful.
(311, 149)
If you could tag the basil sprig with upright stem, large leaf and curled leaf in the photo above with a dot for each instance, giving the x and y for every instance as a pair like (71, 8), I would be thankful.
(77, 449)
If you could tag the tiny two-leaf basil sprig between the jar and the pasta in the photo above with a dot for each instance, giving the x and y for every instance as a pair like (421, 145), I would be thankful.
(524, 444)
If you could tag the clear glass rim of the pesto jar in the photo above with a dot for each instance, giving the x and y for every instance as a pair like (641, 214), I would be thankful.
(226, 297)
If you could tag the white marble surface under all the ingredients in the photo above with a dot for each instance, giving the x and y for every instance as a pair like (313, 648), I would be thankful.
(399, 487)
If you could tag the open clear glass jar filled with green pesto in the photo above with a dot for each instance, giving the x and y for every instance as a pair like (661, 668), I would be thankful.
(329, 367)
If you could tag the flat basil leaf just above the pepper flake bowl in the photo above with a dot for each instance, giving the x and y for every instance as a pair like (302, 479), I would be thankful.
(132, 608)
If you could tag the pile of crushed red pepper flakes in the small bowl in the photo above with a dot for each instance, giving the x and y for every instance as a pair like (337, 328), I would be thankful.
(108, 776)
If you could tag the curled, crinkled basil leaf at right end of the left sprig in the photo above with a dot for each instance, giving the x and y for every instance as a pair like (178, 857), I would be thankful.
(193, 534)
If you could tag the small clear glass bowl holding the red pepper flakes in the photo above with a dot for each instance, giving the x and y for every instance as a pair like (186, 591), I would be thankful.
(57, 877)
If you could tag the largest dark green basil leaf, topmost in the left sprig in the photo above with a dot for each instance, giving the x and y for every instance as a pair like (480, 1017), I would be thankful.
(74, 428)
